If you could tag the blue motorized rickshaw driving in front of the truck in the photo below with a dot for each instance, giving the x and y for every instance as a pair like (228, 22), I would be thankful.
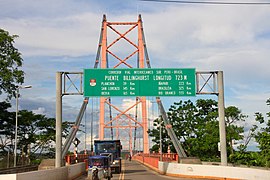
(99, 167)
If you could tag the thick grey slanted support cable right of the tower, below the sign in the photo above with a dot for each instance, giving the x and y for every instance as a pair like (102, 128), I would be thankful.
(179, 149)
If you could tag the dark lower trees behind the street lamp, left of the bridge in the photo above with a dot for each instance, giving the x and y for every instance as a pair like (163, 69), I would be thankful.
(34, 130)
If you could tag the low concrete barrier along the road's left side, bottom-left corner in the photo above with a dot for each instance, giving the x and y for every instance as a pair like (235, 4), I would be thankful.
(68, 172)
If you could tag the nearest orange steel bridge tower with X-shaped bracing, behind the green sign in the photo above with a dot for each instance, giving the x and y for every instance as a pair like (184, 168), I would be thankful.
(106, 48)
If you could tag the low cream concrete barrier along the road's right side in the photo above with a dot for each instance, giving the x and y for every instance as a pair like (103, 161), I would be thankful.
(212, 172)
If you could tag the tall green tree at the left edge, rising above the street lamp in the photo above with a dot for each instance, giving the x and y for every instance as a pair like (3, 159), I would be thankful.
(10, 61)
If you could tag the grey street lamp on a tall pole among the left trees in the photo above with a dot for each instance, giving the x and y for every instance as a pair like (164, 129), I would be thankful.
(16, 124)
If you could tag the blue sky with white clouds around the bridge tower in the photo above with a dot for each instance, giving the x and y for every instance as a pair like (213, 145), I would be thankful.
(63, 35)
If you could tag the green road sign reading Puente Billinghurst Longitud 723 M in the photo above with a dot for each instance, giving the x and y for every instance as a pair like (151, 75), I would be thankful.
(139, 82)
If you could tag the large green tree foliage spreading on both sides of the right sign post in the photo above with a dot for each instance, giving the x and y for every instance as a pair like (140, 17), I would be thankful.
(196, 126)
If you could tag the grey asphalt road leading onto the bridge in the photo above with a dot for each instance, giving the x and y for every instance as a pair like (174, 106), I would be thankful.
(133, 170)
